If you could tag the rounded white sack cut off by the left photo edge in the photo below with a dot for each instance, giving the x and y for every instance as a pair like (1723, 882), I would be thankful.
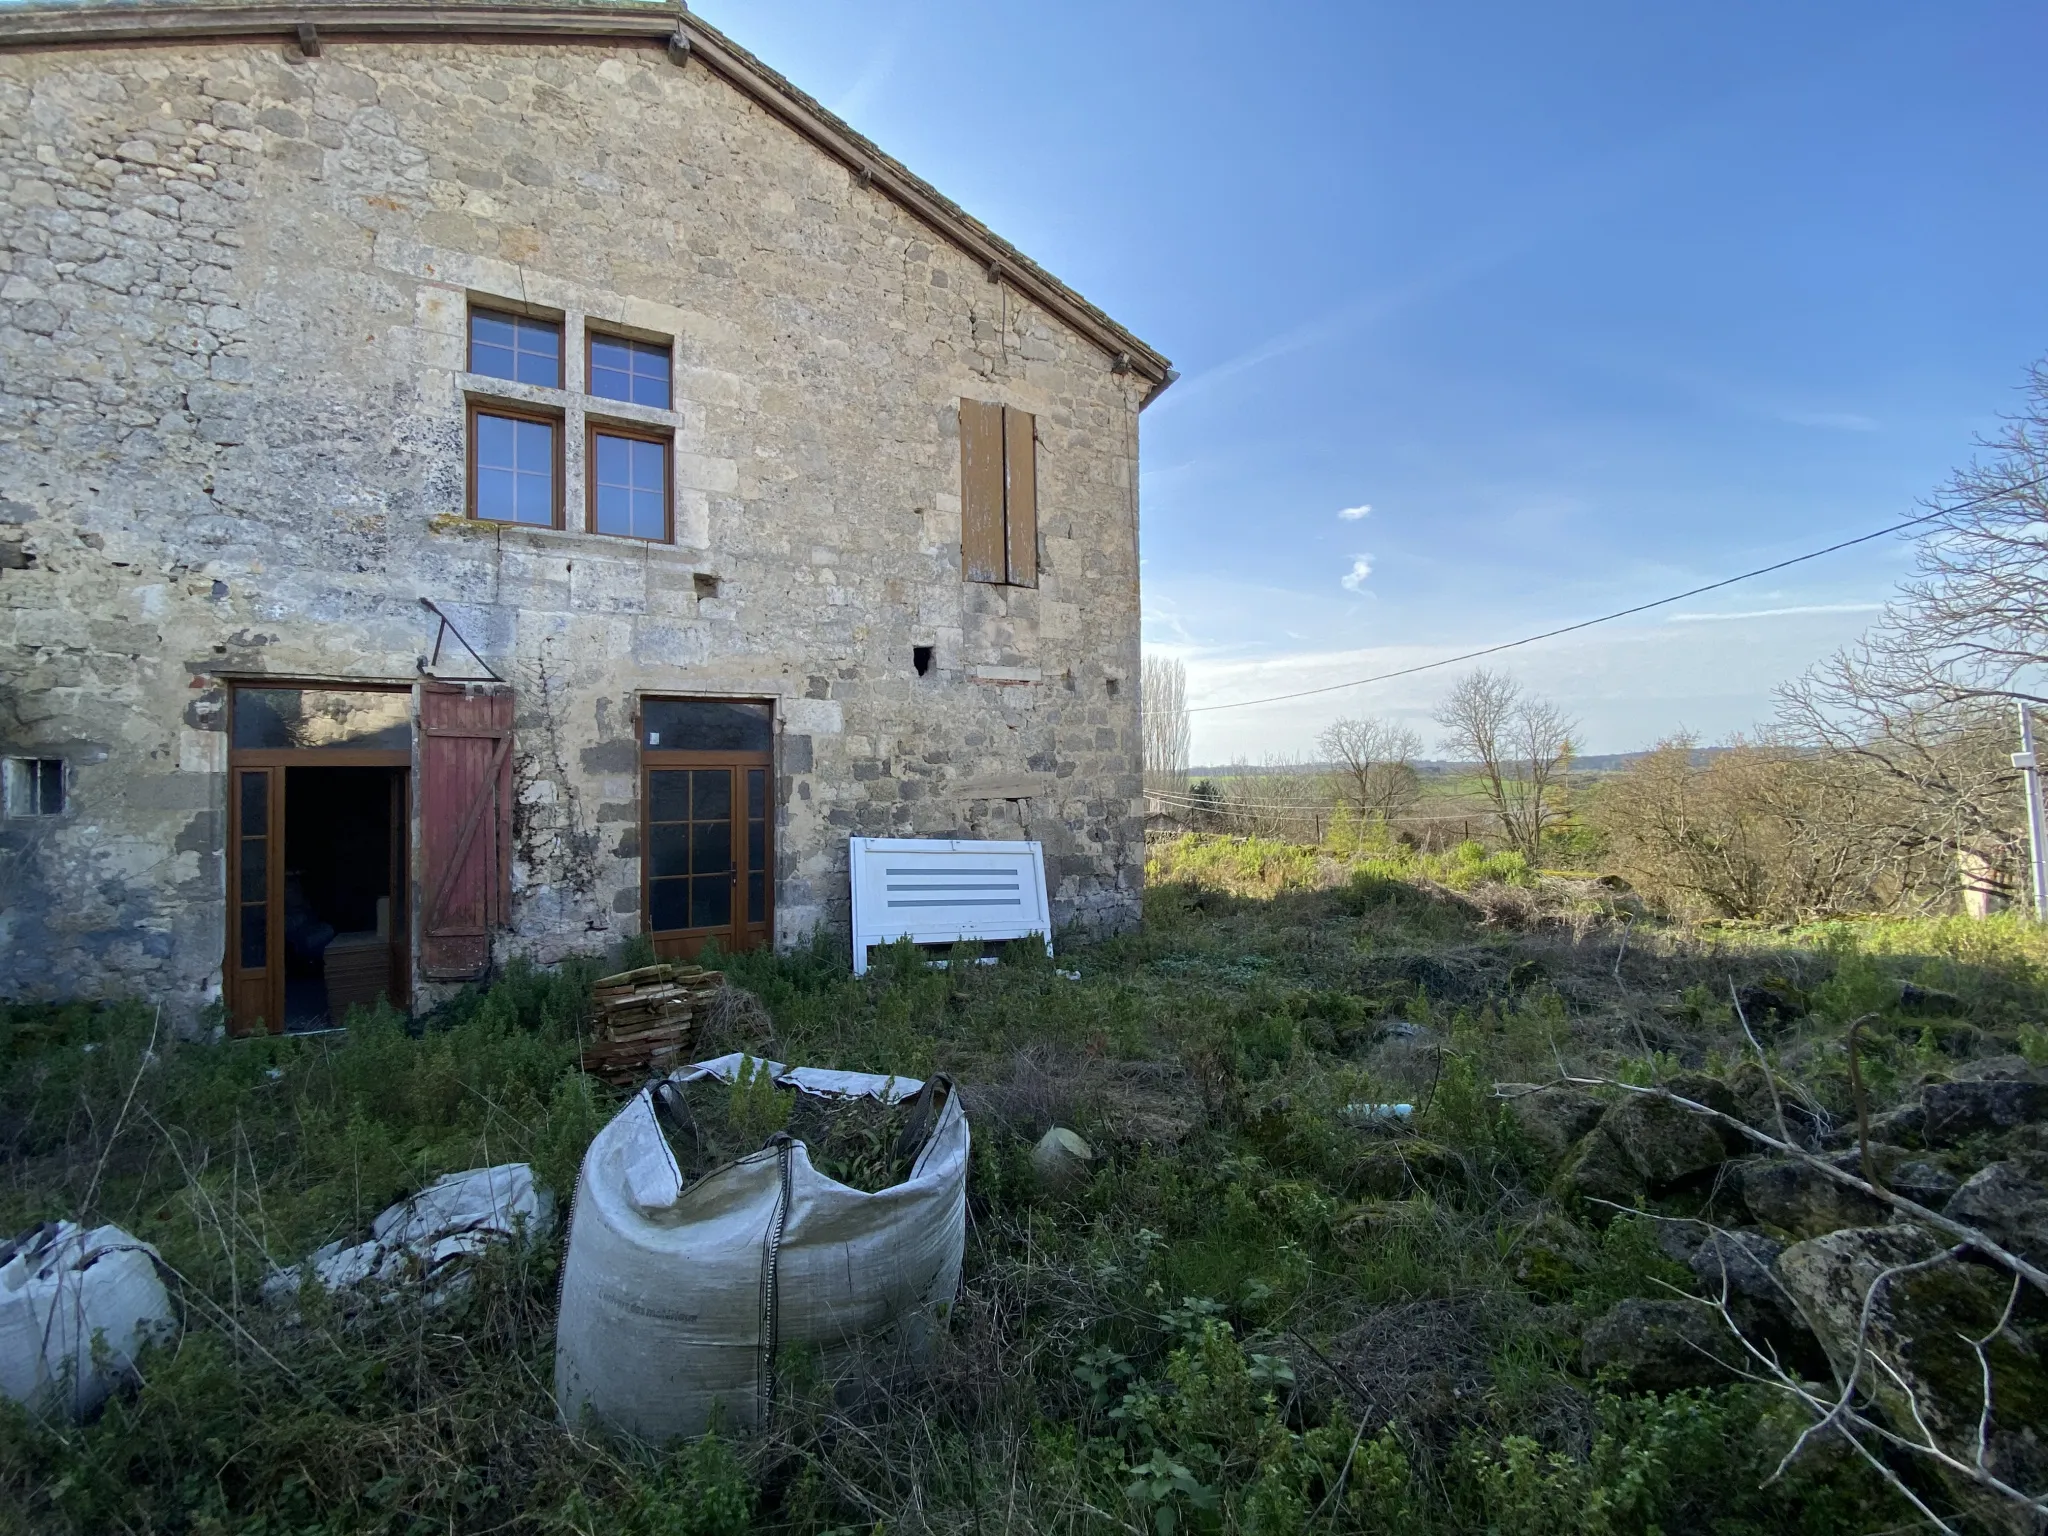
(62, 1287)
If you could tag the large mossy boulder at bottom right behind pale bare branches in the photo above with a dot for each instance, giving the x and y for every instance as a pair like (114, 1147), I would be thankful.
(1922, 1328)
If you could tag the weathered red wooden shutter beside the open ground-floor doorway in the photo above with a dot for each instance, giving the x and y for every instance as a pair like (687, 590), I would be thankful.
(466, 826)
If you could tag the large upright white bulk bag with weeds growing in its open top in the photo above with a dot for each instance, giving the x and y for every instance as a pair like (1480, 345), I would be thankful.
(675, 1302)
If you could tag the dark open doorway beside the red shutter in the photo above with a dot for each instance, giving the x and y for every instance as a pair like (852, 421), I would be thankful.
(343, 892)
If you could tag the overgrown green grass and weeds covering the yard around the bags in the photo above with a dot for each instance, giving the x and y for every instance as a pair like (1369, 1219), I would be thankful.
(1252, 1318)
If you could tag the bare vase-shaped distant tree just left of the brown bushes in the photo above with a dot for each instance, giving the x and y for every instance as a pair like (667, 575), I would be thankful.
(1523, 749)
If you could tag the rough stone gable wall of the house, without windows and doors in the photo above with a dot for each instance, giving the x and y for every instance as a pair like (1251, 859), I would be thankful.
(232, 345)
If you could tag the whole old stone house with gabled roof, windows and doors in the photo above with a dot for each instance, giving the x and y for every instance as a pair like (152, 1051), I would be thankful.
(501, 482)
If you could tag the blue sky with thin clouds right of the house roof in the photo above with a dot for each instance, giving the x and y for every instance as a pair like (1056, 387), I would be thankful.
(1584, 302)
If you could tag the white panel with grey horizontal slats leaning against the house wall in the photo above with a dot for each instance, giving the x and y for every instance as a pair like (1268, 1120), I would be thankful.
(939, 892)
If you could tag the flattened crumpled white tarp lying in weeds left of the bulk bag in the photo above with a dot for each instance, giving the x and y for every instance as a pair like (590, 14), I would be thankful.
(421, 1238)
